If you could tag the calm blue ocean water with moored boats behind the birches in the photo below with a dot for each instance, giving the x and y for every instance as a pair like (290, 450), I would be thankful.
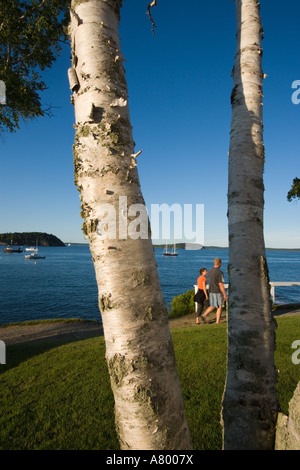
(63, 285)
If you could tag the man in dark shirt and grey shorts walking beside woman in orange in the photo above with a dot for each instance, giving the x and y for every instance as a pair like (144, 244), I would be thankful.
(217, 293)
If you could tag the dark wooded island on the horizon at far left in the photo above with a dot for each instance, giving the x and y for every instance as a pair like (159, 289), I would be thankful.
(30, 238)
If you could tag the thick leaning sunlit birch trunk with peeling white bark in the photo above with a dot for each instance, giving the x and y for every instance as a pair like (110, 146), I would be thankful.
(148, 403)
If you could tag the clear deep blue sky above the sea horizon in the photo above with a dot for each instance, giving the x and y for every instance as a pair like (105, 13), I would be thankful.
(179, 84)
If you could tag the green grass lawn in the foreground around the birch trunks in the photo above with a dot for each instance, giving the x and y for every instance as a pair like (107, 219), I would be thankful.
(57, 395)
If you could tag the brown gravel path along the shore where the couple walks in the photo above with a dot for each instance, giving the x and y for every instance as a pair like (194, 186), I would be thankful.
(75, 329)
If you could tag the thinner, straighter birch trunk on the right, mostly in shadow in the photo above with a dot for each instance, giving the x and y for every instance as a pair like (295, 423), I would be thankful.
(249, 402)
